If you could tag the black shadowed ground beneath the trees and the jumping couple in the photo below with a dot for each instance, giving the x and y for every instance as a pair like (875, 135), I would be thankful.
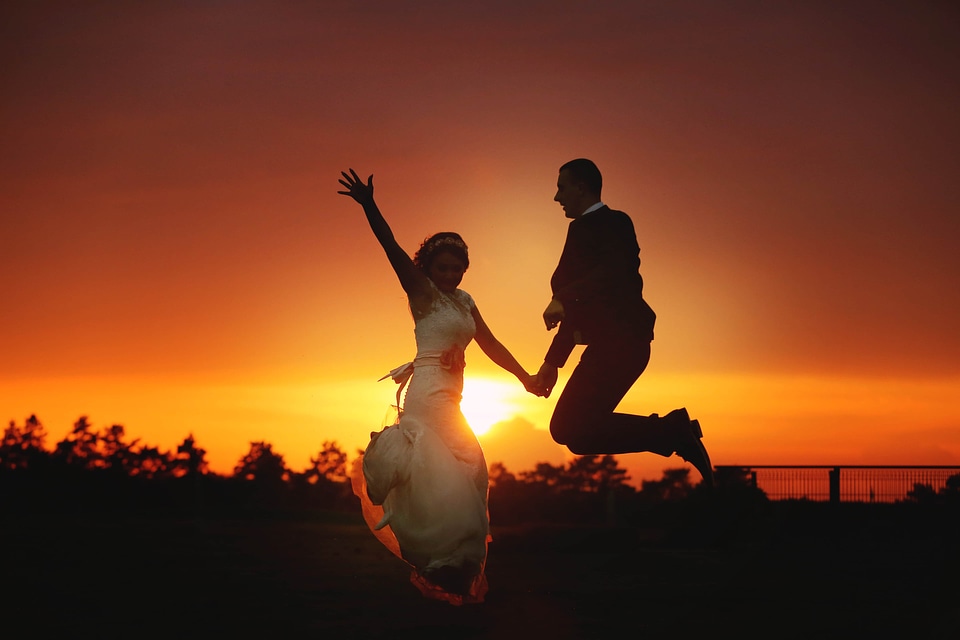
(790, 571)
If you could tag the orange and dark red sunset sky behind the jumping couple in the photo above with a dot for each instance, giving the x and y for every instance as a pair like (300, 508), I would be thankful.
(174, 256)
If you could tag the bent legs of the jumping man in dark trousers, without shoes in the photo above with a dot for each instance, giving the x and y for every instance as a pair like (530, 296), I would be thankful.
(584, 418)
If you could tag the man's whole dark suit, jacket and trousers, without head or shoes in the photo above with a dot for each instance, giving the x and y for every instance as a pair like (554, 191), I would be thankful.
(598, 282)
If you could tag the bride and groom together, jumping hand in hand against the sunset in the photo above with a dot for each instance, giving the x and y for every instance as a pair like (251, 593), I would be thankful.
(423, 480)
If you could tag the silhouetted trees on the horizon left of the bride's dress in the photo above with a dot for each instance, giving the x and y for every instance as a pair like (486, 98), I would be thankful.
(103, 470)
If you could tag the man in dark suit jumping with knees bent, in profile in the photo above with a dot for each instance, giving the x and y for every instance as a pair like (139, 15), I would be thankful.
(598, 302)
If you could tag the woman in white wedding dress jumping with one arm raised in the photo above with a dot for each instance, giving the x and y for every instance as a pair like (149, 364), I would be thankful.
(423, 480)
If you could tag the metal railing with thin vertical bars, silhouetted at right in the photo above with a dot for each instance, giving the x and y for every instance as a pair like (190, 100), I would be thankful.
(842, 483)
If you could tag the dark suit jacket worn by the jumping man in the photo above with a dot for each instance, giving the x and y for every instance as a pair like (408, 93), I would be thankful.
(599, 284)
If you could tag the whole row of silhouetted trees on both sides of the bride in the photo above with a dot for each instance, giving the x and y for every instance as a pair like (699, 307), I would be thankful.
(93, 470)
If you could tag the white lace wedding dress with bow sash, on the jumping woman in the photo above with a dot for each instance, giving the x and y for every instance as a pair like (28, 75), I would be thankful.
(423, 480)
